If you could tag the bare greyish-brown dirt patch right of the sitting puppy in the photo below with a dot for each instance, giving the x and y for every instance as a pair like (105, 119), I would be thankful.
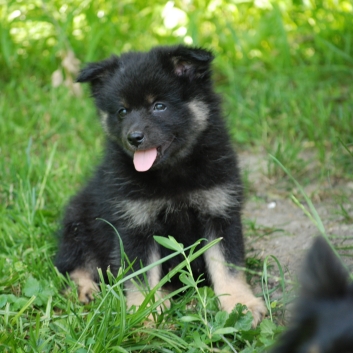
(279, 227)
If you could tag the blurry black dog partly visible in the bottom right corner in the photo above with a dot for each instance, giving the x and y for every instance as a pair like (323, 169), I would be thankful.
(323, 315)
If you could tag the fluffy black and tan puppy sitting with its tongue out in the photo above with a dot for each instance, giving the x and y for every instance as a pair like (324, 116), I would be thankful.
(169, 169)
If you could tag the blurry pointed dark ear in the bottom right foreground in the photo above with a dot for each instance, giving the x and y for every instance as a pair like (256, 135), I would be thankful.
(323, 275)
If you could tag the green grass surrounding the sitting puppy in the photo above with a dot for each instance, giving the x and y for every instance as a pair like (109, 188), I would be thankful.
(287, 88)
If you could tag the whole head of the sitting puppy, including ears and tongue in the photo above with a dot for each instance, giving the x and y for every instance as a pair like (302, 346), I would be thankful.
(154, 104)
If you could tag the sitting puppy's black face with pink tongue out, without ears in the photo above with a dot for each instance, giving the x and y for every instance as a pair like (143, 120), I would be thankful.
(150, 123)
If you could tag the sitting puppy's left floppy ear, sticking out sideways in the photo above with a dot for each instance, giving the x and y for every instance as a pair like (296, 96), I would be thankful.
(95, 73)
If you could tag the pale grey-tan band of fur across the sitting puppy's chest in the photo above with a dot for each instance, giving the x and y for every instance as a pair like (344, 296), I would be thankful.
(214, 202)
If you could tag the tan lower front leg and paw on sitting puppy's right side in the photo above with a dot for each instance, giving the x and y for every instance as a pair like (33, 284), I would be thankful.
(232, 288)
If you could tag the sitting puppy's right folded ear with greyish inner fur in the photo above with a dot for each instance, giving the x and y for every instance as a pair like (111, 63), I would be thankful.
(191, 62)
